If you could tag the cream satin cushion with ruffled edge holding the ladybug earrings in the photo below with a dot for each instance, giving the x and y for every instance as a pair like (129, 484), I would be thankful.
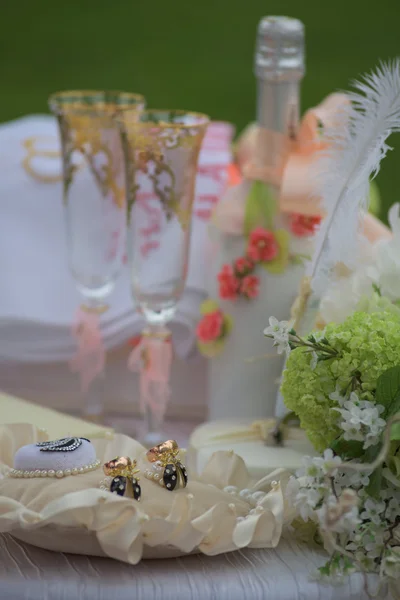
(74, 515)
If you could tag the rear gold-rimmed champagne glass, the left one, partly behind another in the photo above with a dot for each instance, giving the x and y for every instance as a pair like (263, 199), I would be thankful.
(94, 199)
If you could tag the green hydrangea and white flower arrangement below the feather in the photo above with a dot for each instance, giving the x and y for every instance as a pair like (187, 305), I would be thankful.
(344, 385)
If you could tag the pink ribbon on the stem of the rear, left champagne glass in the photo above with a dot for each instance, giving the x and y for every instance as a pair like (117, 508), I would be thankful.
(89, 360)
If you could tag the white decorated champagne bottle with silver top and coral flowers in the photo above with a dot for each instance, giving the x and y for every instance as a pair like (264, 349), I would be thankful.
(243, 383)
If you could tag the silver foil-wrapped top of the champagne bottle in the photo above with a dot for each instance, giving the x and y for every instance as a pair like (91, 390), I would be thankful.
(280, 49)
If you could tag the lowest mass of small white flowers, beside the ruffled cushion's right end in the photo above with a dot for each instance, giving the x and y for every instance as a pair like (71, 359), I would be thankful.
(333, 504)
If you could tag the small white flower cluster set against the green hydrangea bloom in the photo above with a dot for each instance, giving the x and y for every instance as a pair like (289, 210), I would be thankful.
(361, 420)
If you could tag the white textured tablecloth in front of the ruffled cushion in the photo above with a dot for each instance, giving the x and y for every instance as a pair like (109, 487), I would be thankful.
(28, 573)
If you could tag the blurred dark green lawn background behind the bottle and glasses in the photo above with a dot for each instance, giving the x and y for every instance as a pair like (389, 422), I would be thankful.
(192, 54)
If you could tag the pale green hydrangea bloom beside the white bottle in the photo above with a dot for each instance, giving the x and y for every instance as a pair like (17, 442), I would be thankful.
(368, 344)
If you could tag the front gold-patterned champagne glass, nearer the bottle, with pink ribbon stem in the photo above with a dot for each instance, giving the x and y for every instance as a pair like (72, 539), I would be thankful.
(161, 149)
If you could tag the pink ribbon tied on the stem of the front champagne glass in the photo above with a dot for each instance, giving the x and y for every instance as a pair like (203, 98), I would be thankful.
(152, 358)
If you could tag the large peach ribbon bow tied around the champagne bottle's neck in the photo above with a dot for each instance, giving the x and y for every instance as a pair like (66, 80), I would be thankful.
(288, 164)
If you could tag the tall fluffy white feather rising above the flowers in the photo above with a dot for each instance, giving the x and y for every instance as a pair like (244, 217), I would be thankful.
(345, 169)
